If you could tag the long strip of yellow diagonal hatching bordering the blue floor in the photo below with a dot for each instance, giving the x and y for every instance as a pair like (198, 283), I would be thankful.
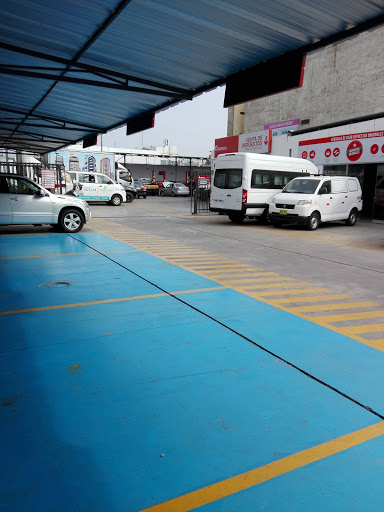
(215, 268)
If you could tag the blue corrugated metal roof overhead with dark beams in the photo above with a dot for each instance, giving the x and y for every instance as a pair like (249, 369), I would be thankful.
(175, 43)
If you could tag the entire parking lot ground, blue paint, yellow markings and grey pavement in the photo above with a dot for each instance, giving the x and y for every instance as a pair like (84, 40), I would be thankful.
(164, 361)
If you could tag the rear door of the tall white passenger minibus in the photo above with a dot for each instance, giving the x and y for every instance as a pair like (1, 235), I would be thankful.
(227, 189)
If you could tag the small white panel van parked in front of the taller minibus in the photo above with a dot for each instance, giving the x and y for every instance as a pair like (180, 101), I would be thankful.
(311, 200)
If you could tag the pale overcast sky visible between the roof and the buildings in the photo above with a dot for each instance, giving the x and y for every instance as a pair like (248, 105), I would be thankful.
(191, 126)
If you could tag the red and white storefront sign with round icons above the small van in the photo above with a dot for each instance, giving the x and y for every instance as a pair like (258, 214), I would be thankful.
(365, 147)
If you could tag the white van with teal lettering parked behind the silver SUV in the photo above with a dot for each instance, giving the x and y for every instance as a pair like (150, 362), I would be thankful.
(95, 186)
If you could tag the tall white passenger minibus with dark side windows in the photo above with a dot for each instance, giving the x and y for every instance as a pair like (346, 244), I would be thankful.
(244, 183)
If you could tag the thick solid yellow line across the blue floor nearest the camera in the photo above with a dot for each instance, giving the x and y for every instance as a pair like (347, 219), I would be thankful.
(249, 479)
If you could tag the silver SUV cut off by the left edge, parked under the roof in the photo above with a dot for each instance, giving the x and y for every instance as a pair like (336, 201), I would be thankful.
(22, 201)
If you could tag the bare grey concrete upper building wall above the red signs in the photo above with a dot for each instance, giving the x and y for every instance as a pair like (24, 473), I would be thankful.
(341, 82)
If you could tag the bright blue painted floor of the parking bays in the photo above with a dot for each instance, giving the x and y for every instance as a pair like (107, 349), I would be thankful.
(130, 397)
